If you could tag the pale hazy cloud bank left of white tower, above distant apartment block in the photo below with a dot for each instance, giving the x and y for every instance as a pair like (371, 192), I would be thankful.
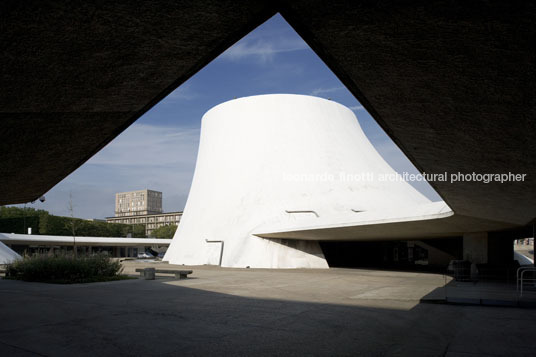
(144, 156)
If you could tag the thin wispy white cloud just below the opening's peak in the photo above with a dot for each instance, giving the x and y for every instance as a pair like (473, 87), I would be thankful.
(264, 50)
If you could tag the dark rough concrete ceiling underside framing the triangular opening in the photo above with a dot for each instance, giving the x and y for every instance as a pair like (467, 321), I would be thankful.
(451, 82)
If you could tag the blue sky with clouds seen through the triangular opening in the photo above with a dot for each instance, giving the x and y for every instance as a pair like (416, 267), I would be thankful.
(159, 150)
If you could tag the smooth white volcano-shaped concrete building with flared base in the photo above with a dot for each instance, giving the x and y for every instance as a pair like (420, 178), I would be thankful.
(258, 157)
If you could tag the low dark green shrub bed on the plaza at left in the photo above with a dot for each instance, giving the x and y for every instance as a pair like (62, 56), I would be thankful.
(66, 269)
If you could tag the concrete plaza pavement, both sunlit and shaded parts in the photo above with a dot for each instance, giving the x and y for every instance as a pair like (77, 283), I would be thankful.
(255, 312)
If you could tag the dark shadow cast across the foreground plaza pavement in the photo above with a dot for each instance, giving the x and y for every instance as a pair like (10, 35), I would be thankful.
(154, 318)
